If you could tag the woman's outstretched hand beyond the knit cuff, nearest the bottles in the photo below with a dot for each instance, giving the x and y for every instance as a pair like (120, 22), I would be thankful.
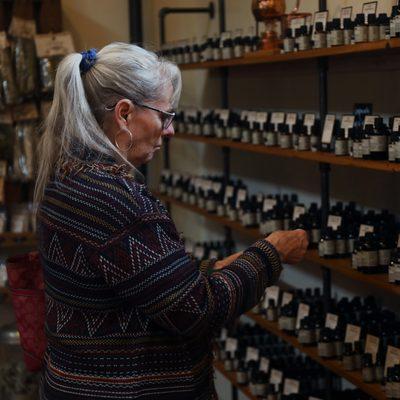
(291, 245)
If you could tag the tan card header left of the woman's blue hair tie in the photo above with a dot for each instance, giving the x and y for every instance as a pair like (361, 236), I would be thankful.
(56, 44)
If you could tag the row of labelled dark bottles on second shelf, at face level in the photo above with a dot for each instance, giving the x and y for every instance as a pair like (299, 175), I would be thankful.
(371, 139)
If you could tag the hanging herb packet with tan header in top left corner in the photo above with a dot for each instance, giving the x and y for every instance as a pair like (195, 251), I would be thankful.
(23, 30)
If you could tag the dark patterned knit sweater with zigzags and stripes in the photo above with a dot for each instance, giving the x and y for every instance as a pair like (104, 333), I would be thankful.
(129, 314)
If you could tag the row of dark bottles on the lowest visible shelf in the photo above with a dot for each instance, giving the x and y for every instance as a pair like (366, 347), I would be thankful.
(272, 369)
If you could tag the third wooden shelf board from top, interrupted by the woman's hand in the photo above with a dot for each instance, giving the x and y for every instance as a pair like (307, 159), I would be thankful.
(341, 266)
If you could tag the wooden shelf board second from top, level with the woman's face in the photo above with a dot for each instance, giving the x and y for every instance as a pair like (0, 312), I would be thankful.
(318, 156)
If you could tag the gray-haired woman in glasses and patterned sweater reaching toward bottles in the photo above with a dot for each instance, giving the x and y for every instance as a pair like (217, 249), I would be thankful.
(129, 314)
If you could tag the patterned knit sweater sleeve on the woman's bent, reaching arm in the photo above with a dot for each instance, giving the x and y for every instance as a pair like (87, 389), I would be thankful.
(148, 267)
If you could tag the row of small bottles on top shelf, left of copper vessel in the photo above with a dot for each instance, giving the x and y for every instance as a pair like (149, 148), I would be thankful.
(225, 46)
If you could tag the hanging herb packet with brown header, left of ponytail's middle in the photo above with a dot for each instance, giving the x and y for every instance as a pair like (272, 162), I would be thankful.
(25, 141)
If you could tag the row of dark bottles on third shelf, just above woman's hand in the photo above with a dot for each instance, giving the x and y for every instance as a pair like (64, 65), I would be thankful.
(369, 238)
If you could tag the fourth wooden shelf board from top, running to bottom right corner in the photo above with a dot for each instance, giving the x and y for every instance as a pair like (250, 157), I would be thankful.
(335, 366)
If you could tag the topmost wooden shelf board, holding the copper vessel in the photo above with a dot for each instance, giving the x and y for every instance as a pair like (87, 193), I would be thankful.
(260, 58)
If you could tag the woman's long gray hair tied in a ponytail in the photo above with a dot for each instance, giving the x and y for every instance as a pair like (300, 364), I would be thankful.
(75, 121)
